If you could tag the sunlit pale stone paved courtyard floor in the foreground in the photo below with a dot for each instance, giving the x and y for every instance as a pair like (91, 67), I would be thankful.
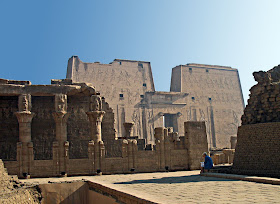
(182, 187)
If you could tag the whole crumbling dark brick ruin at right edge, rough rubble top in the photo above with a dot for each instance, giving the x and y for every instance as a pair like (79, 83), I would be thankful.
(258, 143)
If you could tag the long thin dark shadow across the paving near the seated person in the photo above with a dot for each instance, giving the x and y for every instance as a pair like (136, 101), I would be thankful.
(180, 179)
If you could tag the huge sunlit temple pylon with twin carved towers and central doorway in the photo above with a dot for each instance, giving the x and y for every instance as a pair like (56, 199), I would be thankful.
(198, 92)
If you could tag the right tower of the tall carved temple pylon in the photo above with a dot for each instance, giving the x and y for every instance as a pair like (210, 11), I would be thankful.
(215, 96)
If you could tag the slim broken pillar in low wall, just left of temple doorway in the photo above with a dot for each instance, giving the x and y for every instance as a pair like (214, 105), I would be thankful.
(159, 136)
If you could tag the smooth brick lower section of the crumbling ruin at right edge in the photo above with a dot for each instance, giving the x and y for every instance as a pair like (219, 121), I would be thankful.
(257, 150)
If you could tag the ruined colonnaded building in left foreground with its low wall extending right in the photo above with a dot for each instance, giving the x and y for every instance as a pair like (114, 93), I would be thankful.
(67, 128)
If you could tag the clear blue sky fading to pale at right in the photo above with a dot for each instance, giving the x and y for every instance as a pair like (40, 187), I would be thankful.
(38, 37)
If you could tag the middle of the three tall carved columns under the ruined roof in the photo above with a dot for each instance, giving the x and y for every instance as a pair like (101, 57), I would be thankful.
(60, 116)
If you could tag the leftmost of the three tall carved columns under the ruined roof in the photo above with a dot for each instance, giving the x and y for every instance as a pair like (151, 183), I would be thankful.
(25, 145)
